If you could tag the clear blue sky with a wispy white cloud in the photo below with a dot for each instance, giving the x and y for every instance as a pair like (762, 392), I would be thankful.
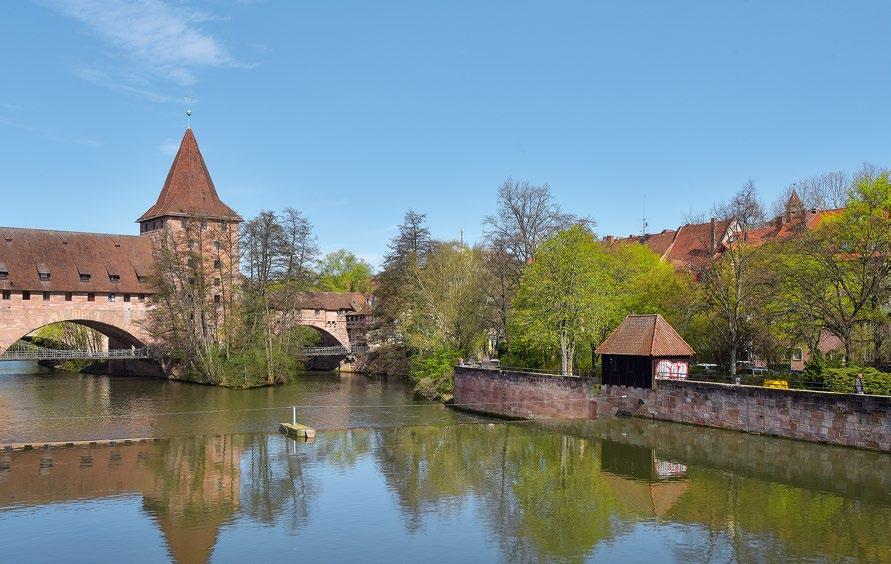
(355, 111)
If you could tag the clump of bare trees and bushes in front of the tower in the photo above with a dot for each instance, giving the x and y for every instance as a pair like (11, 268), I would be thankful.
(228, 313)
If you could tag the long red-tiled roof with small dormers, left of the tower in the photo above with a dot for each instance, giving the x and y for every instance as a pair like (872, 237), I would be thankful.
(71, 261)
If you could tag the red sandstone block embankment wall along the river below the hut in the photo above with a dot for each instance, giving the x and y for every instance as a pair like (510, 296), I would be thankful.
(843, 419)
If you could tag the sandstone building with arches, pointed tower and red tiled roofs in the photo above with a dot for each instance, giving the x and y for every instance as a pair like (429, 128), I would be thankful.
(102, 280)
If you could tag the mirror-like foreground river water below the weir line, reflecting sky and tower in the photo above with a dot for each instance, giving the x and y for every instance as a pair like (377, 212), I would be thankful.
(519, 492)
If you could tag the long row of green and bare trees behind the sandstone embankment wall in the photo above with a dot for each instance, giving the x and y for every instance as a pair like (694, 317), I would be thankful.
(542, 291)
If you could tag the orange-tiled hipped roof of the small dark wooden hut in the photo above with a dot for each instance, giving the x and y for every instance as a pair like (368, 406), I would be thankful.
(645, 335)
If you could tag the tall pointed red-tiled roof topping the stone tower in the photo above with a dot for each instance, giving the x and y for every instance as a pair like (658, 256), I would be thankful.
(188, 190)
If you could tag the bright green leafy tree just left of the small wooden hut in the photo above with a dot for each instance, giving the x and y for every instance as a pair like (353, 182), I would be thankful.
(562, 298)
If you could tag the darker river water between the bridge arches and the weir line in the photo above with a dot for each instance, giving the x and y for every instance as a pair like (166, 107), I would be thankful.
(58, 406)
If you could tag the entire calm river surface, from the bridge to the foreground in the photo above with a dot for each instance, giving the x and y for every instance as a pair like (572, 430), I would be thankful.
(416, 482)
